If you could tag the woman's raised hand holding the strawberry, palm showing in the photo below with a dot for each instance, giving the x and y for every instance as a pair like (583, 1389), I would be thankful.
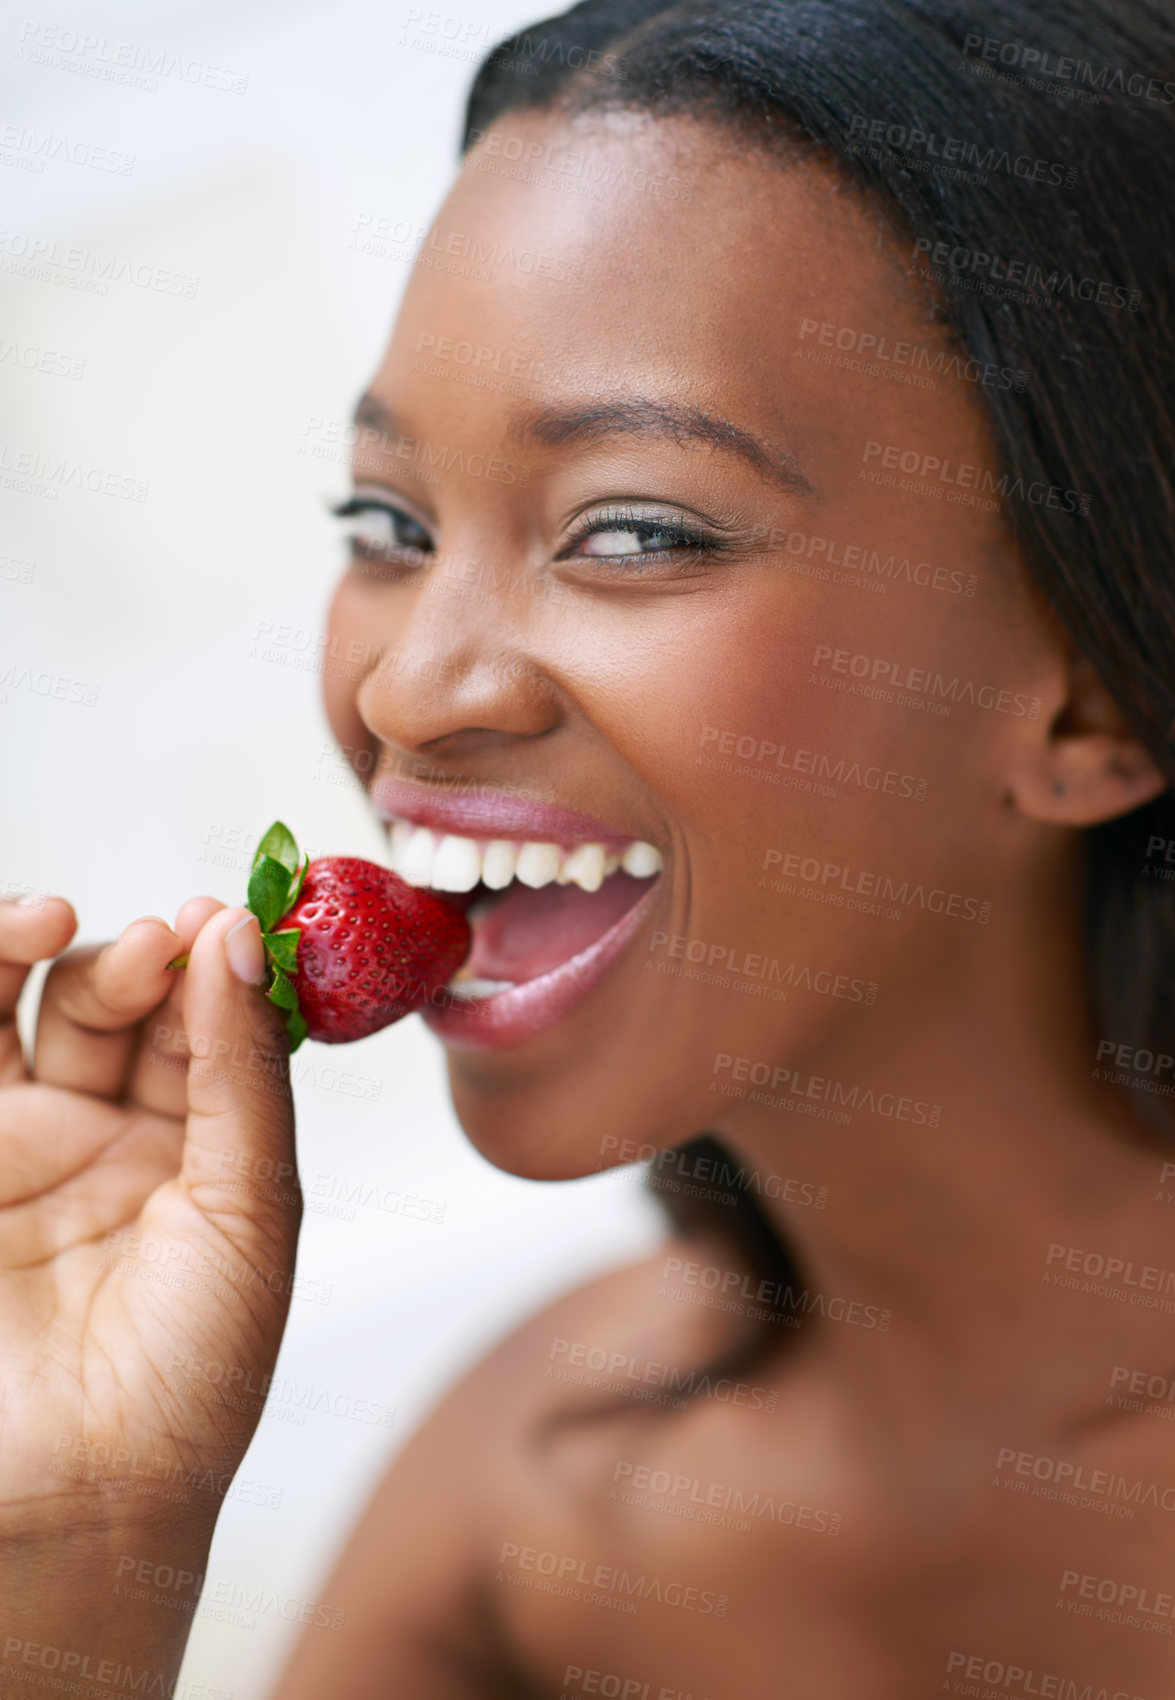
(139, 1233)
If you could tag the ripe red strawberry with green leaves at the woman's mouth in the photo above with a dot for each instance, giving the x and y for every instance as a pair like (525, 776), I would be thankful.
(351, 946)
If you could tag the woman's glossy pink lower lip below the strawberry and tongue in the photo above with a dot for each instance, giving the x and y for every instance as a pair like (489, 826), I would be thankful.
(528, 1011)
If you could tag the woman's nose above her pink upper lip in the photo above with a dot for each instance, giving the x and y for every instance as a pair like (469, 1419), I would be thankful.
(453, 674)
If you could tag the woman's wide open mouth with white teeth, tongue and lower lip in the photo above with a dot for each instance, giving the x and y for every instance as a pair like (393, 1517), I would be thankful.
(548, 922)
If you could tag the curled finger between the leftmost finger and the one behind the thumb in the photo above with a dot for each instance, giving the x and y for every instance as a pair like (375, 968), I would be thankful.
(93, 1006)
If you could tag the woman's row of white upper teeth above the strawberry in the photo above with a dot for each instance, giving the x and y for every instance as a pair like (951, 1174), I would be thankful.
(446, 863)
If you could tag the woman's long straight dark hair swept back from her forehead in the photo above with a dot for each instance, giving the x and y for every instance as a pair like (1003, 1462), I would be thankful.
(1067, 108)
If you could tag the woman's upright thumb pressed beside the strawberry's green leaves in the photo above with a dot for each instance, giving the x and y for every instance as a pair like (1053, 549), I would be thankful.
(239, 1155)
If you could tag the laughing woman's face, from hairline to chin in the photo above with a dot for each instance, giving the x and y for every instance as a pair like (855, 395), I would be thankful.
(647, 419)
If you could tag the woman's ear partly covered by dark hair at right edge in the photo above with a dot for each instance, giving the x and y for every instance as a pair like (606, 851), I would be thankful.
(1091, 766)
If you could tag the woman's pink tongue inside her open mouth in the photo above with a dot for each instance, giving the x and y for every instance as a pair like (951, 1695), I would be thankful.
(531, 932)
